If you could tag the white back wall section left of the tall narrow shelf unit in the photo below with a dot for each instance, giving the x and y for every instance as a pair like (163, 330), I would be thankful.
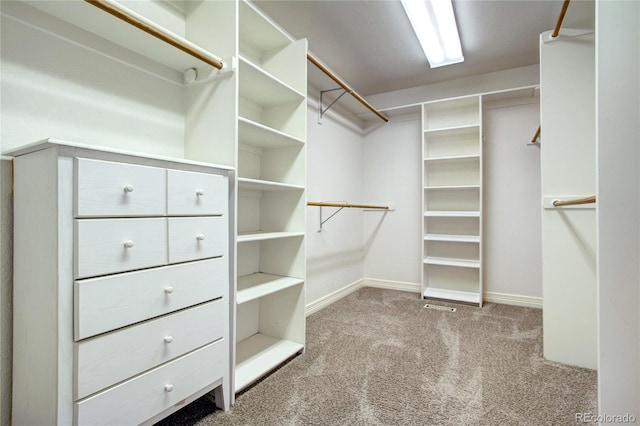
(392, 174)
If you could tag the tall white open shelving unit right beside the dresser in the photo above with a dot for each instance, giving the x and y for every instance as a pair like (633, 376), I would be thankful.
(270, 320)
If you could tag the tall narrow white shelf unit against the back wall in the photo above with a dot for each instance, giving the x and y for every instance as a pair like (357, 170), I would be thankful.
(452, 200)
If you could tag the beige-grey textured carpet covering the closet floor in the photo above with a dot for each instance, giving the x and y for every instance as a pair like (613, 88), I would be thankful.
(377, 357)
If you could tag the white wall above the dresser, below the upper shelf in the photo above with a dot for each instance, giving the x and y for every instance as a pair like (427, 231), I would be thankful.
(52, 87)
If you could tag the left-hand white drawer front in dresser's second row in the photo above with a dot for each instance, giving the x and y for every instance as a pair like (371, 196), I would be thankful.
(113, 245)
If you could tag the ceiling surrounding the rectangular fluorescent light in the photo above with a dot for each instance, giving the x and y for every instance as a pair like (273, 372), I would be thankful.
(370, 44)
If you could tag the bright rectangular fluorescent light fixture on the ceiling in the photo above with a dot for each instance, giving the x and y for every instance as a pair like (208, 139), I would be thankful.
(435, 26)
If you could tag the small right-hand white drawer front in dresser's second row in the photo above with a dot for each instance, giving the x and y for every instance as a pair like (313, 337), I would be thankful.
(197, 238)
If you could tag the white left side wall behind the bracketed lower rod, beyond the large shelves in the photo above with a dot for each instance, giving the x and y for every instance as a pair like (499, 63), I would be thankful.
(334, 173)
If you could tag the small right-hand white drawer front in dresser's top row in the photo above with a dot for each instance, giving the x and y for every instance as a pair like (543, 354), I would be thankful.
(191, 193)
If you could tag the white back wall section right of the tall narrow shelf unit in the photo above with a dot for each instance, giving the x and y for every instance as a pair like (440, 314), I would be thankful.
(511, 228)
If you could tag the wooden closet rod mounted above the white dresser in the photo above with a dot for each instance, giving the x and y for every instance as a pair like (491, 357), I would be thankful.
(113, 9)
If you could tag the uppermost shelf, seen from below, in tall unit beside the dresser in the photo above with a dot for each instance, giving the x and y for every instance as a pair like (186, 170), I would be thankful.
(262, 88)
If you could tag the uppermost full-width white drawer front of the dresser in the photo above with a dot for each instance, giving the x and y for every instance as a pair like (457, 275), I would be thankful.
(106, 303)
